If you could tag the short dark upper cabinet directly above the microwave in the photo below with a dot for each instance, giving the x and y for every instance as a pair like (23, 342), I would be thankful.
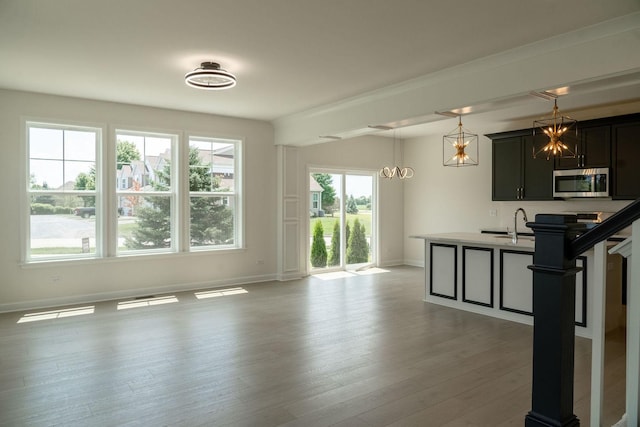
(592, 148)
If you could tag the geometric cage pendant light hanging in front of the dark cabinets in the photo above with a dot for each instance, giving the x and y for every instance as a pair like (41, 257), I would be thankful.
(555, 128)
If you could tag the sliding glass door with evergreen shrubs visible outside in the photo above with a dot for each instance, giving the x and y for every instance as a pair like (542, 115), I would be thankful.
(341, 220)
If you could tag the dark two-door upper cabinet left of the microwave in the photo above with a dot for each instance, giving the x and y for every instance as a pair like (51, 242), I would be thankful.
(516, 174)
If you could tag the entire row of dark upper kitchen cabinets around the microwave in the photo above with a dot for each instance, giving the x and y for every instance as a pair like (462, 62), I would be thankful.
(611, 142)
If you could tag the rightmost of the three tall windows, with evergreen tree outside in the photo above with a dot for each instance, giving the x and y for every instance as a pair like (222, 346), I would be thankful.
(213, 192)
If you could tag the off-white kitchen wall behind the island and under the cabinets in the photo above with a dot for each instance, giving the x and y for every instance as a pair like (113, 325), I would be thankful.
(446, 199)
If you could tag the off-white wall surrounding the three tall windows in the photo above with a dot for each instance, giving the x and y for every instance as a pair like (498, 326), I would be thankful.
(29, 286)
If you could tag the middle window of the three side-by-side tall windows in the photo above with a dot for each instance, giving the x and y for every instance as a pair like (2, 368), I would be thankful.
(145, 192)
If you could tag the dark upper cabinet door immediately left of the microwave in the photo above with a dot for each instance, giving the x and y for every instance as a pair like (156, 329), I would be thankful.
(538, 172)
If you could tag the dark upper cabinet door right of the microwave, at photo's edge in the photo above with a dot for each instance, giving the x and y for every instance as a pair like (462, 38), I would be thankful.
(626, 147)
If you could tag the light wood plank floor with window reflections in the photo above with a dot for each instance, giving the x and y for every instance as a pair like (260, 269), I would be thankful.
(358, 351)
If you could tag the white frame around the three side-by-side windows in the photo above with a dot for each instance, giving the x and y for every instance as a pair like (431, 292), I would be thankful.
(106, 193)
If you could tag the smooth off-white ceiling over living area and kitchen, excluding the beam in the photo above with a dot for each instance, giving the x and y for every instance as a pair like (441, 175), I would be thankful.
(289, 56)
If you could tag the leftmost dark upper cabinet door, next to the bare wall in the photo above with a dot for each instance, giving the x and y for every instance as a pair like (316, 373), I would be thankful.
(507, 168)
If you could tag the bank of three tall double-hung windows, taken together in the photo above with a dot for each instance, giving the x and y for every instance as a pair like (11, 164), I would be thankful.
(164, 197)
